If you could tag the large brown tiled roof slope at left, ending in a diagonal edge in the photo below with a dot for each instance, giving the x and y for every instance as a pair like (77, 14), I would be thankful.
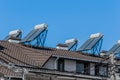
(20, 55)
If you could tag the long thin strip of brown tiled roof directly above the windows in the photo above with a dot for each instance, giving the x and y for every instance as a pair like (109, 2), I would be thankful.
(68, 54)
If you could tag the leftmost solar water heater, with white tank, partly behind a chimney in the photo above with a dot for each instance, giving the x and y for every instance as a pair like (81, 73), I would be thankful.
(15, 34)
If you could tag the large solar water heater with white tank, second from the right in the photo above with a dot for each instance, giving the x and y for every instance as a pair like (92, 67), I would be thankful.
(93, 44)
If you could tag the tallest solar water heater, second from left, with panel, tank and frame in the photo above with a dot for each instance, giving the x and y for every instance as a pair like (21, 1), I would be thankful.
(37, 35)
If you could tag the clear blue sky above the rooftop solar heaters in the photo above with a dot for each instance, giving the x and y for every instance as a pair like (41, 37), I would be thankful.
(66, 19)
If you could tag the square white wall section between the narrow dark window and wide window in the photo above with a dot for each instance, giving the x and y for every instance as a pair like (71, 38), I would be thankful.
(70, 65)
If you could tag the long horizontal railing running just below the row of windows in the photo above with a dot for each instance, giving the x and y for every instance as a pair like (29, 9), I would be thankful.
(68, 74)
